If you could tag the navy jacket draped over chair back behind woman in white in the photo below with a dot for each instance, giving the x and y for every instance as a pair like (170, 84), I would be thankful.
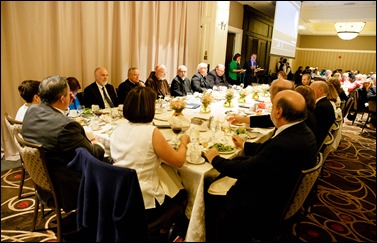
(110, 201)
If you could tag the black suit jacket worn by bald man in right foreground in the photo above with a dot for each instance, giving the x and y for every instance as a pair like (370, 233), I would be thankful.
(267, 179)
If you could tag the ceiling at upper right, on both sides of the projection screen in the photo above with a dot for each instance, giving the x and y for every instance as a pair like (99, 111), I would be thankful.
(318, 17)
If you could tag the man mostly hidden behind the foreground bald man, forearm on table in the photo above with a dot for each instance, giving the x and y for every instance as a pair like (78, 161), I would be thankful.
(264, 121)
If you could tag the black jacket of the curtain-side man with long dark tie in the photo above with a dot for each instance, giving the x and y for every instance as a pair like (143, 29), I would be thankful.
(92, 95)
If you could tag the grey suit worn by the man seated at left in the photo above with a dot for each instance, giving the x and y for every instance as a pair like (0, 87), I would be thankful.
(60, 136)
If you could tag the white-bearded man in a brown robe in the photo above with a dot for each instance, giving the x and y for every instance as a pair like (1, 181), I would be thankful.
(158, 82)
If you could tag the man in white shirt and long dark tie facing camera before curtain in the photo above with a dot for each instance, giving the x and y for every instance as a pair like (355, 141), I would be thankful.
(100, 92)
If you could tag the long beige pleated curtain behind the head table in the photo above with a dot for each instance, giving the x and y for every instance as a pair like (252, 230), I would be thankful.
(72, 38)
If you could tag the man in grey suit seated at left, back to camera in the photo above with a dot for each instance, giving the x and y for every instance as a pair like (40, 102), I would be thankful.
(47, 124)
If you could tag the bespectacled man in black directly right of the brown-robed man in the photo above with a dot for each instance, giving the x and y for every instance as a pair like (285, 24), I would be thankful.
(180, 86)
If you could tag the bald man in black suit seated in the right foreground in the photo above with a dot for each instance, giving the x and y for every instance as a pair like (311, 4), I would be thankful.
(266, 179)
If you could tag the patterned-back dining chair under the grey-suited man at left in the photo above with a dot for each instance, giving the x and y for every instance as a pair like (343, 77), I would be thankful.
(34, 160)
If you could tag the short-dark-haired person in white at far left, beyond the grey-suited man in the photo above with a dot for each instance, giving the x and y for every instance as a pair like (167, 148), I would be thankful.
(29, 92)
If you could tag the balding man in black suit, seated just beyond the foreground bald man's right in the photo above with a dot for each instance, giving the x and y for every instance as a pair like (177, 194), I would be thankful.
(324, 111)
